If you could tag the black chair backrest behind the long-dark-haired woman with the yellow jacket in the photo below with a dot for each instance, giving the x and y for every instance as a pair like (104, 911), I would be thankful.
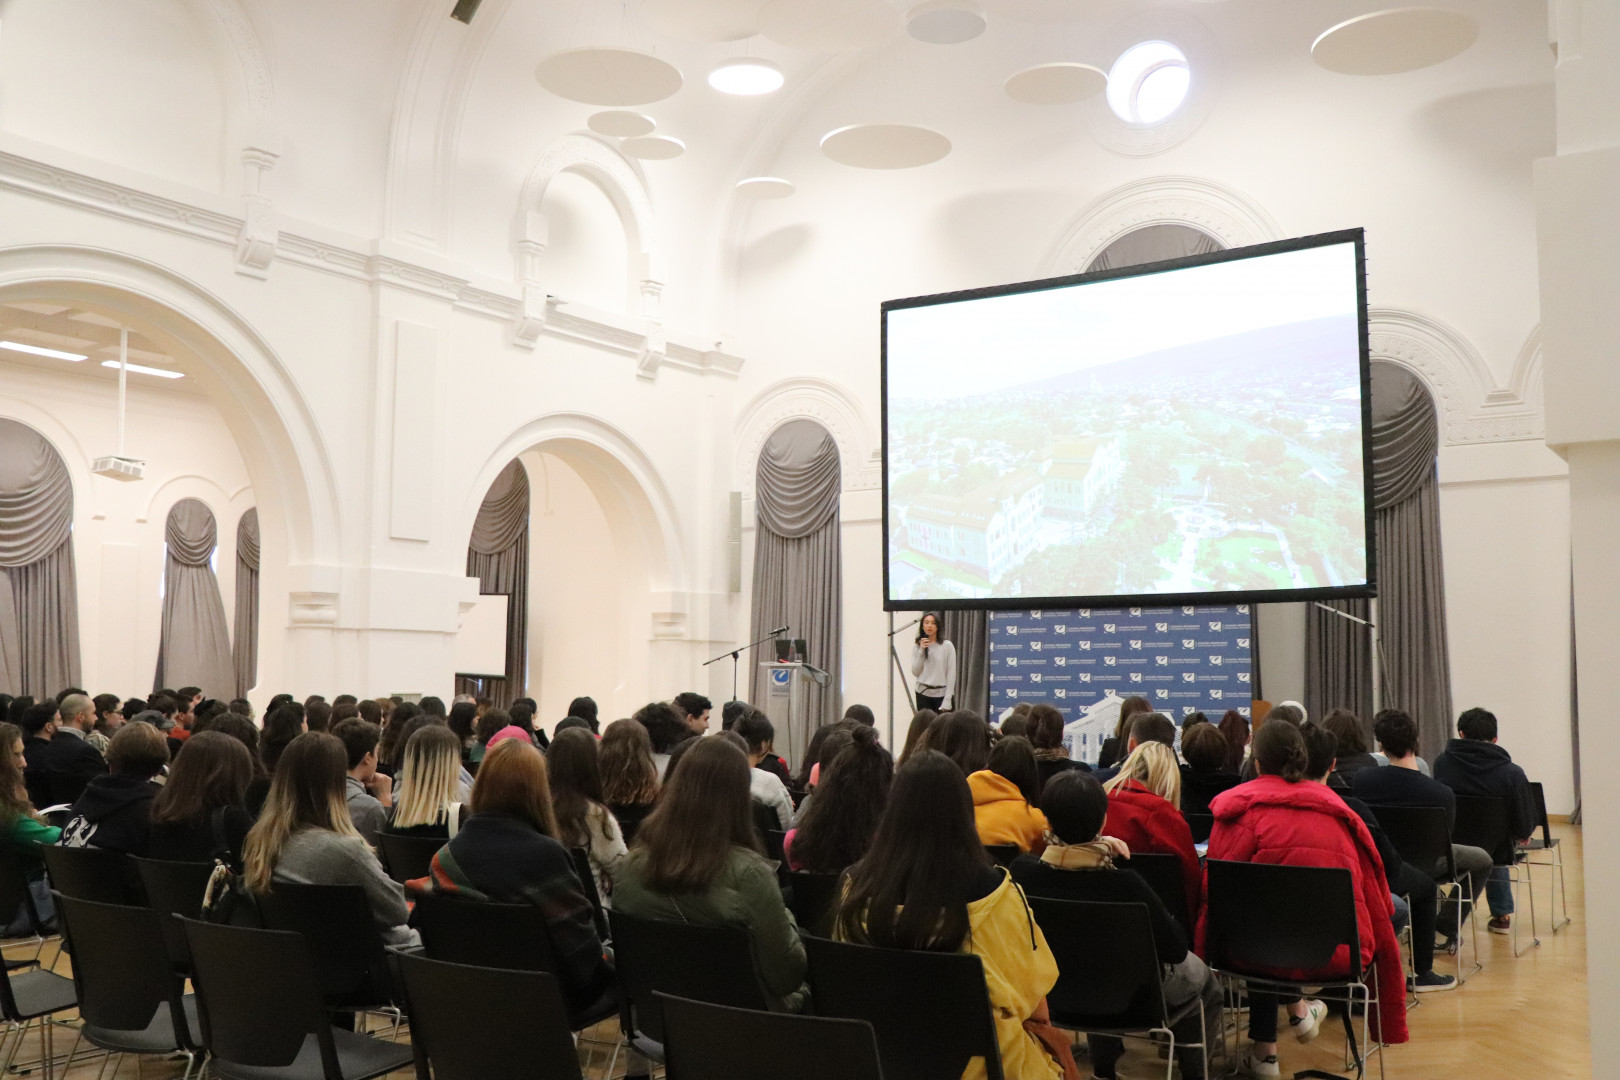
(929, 1010)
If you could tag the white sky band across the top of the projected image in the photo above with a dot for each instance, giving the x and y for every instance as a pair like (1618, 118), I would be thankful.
(986, 346)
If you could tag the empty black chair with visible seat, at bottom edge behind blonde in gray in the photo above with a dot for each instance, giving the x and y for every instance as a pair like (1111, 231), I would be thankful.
(263, 1016)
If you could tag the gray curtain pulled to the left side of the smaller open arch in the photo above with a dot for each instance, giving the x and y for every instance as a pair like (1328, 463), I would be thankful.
(498, 556)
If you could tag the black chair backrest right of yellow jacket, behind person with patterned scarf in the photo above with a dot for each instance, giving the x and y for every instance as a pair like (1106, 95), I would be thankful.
(1109, 969)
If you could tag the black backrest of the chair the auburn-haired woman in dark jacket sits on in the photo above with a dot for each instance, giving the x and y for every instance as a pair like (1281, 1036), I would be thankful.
(477, 933)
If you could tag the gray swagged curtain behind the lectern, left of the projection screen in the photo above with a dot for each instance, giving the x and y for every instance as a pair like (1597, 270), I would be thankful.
(798, 563)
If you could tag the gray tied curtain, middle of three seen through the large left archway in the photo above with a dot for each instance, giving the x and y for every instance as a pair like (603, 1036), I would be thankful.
(195, 648)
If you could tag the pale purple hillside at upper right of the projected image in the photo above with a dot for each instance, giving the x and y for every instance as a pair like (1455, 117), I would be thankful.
(1289, 349)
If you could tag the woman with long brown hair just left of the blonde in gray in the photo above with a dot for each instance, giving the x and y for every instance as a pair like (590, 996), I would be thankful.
(200, 814)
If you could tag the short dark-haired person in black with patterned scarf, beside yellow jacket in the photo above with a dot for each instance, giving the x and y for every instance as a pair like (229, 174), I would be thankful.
(1080, 865)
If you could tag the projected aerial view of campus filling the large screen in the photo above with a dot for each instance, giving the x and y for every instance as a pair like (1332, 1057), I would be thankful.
(1177, 433)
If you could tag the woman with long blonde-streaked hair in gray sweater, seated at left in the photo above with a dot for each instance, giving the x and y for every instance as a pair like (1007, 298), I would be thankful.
(305, 836)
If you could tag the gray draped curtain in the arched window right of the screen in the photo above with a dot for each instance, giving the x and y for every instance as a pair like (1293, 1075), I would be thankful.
(1412, 576)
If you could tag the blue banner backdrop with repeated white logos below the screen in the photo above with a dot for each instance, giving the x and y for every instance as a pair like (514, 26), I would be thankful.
(1183, 660)
